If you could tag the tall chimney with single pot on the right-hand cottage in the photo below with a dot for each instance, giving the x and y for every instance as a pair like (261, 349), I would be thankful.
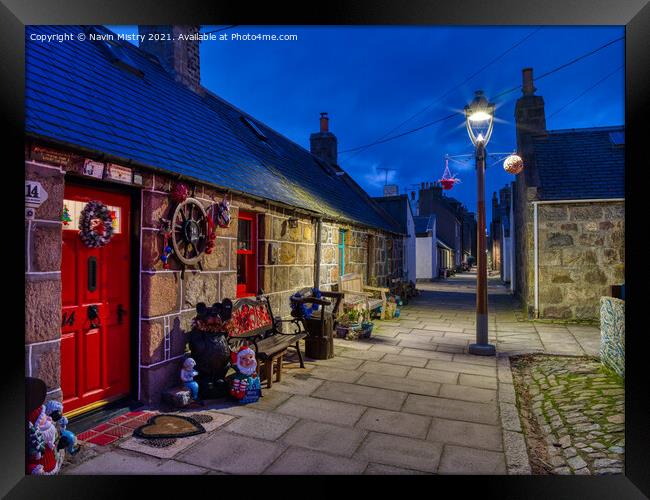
(530, 119)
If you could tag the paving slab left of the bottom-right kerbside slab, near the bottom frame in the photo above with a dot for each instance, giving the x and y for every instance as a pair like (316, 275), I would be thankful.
(400, 452)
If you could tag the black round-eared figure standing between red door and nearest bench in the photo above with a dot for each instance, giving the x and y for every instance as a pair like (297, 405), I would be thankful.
(210, 350)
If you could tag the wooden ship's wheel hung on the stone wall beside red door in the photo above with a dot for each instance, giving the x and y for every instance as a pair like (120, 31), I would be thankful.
(189, 232)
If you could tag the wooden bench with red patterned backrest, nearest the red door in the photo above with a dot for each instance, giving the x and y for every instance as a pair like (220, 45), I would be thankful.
(253, 323)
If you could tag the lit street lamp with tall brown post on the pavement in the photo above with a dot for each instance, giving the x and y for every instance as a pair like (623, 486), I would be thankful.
(479, 118)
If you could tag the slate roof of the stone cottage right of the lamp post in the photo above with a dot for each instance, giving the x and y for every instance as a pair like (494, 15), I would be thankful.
(578, 164)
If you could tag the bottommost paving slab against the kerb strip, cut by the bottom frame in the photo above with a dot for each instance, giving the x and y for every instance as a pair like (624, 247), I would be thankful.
(463, 460)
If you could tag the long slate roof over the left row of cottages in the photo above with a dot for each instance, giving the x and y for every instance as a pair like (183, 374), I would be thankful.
(76, 97)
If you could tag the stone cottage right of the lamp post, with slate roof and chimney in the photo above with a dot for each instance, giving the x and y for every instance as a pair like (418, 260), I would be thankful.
(569, 211)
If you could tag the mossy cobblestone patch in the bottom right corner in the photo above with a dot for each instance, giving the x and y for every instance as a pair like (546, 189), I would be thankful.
(580, 420)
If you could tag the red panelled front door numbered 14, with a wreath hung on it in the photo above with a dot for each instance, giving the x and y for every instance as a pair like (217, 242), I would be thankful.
(95, 353)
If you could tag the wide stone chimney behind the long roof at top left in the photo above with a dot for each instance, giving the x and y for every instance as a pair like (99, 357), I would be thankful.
(178, 57)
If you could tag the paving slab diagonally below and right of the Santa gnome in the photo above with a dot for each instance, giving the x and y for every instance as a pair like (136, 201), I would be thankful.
(322, 410)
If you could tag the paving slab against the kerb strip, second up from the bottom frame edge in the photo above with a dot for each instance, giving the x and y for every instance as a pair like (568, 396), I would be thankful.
(465, 434)
